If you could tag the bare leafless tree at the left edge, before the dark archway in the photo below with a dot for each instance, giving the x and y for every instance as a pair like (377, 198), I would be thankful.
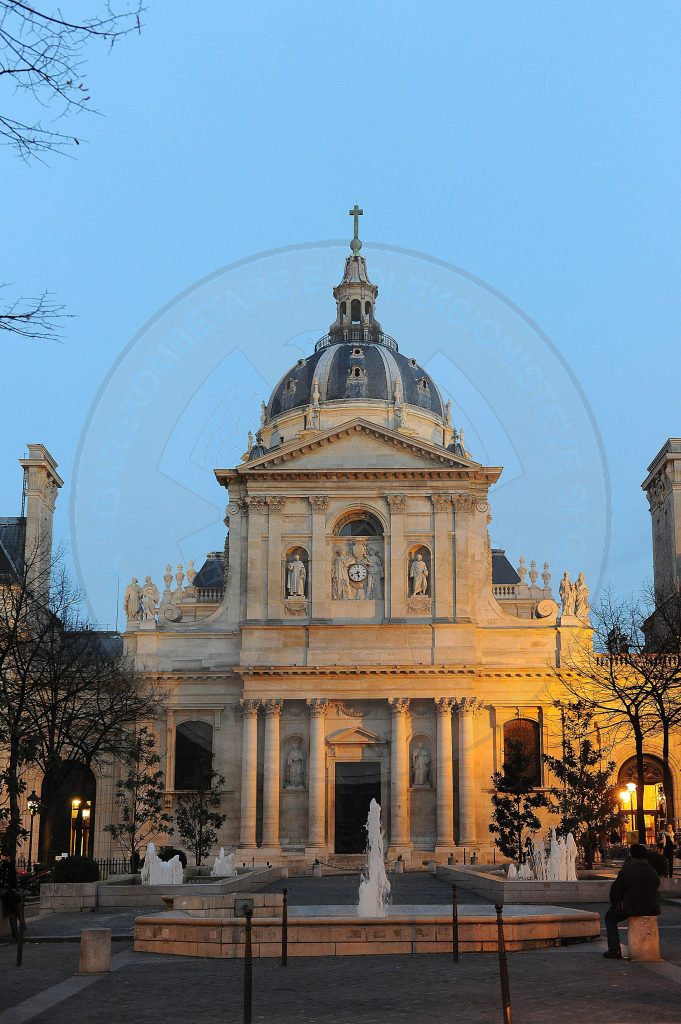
(66, 691)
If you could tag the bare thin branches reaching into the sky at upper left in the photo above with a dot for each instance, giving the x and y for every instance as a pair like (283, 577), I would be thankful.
(42, 55)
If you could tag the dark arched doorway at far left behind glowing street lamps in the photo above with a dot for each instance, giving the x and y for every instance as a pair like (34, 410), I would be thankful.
(67, 823)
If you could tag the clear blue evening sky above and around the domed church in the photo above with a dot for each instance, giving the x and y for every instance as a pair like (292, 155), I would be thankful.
(533, 147)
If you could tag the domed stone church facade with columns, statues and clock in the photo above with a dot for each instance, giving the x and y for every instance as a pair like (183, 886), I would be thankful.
(358, 637)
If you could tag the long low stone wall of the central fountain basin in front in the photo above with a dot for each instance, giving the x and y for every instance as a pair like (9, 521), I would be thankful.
(214, 937)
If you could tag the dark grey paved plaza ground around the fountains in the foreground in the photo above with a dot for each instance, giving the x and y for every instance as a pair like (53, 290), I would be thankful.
(556, 986)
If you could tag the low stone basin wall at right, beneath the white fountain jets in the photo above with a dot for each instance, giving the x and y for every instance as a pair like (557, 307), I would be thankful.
(498, 889)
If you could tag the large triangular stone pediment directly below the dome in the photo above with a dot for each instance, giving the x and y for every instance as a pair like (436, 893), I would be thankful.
(358, 445)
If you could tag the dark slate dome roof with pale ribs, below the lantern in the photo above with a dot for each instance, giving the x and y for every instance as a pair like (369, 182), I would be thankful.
(356, 371)
